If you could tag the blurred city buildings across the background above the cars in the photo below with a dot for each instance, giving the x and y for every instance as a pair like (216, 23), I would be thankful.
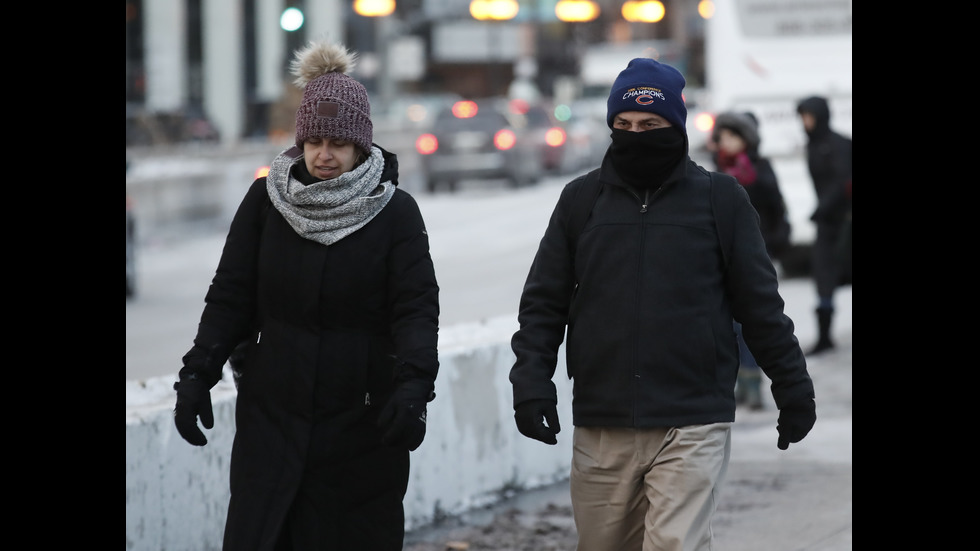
(217, 70)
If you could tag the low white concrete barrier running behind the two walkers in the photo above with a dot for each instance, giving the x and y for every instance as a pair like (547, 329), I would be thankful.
(177, 494)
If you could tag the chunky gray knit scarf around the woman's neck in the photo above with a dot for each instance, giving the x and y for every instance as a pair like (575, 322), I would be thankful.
(329, 210)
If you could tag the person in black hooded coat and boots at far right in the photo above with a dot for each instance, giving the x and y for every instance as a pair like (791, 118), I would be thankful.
(828, 156)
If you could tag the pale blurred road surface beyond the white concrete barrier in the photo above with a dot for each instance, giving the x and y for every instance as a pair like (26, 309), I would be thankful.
(482, 241)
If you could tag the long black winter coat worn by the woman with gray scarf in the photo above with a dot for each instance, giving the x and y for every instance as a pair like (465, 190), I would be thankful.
(328, 326)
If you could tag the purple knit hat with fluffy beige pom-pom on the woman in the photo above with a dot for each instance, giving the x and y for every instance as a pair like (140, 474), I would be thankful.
(334, 105)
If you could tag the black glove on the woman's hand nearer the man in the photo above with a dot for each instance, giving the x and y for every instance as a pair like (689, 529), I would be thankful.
(403, 417)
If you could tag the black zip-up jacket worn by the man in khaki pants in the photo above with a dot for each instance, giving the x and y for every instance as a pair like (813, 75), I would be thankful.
(649, 308)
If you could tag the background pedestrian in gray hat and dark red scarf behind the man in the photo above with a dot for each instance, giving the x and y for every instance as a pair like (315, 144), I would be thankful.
(736, 139)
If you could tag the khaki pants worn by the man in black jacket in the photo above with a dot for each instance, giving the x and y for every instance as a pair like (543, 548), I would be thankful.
(647, 489)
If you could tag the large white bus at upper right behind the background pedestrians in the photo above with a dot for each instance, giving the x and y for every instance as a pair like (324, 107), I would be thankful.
(764, 56)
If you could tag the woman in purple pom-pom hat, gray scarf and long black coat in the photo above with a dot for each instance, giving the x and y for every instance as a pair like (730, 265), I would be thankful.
(326, 273)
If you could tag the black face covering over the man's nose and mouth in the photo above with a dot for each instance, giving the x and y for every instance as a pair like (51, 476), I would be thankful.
(645, 159)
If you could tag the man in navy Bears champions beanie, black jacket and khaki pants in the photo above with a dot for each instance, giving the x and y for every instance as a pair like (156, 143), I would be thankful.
(647, 304)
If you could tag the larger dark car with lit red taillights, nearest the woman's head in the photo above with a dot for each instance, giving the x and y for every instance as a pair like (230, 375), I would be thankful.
(476, 140)
